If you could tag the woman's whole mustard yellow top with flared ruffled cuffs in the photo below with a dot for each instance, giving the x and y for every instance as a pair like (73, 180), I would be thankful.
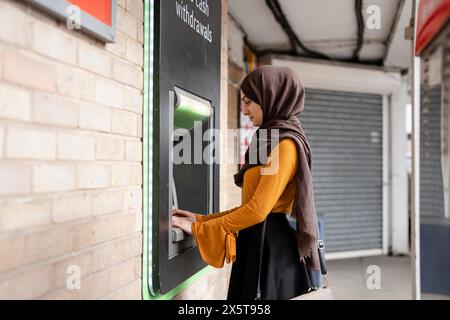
(266, 188)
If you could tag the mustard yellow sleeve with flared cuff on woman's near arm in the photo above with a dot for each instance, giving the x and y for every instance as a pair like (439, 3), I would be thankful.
(216, 238)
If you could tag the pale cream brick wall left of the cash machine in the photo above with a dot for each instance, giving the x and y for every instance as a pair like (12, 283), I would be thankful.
(70, 156)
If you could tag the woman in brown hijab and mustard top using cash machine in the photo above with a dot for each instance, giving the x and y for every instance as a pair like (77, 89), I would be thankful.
(273, 98)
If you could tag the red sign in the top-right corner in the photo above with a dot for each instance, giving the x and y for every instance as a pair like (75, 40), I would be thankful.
(432, 17)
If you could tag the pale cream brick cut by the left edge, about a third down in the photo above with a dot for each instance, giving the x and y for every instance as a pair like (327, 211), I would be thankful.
(14, 103)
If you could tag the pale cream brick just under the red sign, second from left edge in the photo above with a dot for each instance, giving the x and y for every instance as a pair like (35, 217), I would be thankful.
(54, 44)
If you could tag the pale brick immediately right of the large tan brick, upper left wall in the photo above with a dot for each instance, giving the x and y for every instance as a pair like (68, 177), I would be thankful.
(74, 83)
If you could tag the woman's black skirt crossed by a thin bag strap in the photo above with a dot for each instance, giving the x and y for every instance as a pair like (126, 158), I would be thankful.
(283, 276)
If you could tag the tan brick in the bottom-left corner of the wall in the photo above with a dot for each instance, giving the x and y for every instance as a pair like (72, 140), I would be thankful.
(27, 284)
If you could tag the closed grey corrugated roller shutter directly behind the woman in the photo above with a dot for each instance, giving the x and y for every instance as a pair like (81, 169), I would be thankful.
(345, 132)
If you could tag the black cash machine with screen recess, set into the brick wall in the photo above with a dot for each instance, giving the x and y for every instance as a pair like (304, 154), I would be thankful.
(186, 106)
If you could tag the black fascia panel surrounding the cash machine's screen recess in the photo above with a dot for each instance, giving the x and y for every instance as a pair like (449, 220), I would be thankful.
(185, 60)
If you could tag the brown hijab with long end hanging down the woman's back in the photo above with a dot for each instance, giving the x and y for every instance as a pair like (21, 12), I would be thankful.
(280, 93)
